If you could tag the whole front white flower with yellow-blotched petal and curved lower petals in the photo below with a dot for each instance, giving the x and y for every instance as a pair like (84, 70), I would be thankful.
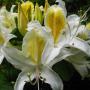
(36, 48)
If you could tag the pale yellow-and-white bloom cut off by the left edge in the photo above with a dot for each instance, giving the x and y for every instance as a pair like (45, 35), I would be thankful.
(7, 24)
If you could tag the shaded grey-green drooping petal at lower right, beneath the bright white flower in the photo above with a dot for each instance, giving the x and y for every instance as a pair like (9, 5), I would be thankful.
(80, 63)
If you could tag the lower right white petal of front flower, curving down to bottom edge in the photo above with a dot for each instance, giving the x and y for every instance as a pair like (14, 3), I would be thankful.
(52, 78)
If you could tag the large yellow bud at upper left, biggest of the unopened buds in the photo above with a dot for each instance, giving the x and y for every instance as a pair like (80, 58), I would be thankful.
(25, 14)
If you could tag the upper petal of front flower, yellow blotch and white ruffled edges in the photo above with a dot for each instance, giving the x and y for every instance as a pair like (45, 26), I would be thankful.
(44, 35)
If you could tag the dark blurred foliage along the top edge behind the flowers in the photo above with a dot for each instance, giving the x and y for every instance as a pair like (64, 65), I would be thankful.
(73, 6)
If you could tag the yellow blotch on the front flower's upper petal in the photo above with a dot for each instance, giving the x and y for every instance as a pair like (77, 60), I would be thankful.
(34, 46)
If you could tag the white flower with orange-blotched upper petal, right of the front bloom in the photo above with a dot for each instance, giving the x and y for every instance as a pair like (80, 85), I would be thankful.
(64, 32)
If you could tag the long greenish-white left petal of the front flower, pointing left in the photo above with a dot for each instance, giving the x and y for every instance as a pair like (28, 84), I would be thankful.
(16, 58)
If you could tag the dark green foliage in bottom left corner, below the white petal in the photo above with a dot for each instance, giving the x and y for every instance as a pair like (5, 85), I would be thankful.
(8, 76)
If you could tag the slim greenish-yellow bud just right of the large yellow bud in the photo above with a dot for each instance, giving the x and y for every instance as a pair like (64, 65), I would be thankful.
(38, 14)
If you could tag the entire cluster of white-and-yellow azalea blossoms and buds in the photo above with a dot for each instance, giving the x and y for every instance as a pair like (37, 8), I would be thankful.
(49, 36)
